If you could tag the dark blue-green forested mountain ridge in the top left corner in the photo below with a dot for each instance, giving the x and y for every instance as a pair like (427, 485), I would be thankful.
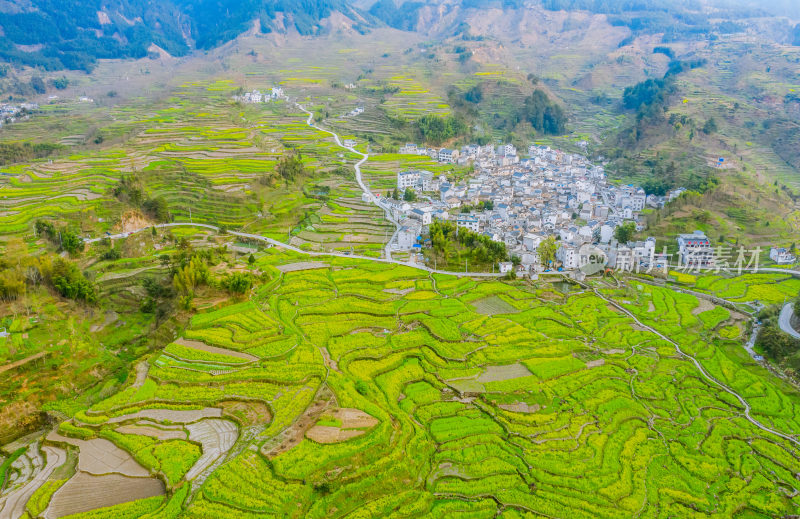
(73, 34)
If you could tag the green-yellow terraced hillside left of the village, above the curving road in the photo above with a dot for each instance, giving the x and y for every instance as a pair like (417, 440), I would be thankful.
(212, 161)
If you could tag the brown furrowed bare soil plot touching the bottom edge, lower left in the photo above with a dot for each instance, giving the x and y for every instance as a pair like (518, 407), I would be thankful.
(84, 492)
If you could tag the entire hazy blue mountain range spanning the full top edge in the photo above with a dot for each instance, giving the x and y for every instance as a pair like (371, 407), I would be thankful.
(74, 34)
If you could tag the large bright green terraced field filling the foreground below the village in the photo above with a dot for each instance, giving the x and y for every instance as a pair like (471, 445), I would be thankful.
(352, 388)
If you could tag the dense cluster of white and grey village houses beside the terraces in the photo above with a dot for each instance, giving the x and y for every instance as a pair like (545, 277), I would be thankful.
(550, 193)
